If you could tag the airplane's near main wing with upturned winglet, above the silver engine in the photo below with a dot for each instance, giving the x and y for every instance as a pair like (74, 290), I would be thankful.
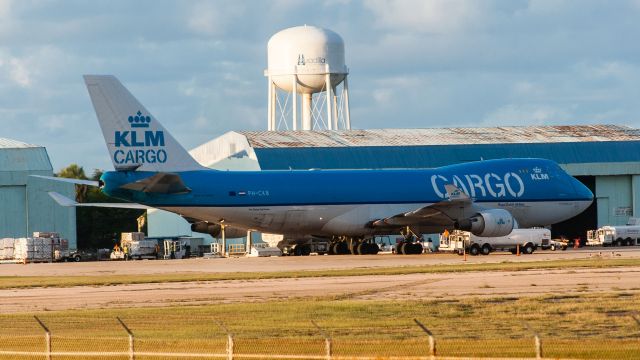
(458, 205)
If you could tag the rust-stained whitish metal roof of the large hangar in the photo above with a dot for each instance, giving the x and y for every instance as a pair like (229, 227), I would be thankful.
(441, 136)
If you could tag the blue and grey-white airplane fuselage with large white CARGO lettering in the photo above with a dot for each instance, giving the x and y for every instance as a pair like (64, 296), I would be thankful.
(536, 192)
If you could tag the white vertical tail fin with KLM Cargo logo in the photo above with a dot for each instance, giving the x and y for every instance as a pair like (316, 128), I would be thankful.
(135, 139)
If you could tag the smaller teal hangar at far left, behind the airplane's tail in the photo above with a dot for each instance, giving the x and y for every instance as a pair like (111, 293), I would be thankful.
(26, 206)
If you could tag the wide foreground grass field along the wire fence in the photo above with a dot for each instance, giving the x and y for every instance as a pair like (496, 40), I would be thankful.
(577, 326)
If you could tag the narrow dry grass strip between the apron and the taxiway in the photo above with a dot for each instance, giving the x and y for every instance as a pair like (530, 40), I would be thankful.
(8, 282)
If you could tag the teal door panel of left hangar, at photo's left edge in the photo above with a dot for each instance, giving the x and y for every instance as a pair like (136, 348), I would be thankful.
(13, 211)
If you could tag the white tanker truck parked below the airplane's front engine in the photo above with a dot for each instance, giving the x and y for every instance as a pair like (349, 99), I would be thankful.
(527, 239)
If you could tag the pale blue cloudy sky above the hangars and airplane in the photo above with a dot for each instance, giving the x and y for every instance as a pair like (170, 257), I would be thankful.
(198, 65)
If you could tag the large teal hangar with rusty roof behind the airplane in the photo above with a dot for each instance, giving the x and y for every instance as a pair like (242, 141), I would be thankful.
(606, 158)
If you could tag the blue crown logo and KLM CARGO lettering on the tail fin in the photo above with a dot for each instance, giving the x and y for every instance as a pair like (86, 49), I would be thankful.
(139, 146)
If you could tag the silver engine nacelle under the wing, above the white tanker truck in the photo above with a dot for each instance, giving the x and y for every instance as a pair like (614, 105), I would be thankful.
(488, 223)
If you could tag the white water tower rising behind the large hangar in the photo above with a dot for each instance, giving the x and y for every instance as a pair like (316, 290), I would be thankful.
(303, 61)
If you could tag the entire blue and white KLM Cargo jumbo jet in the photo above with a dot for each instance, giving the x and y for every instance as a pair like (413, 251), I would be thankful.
(347, 207)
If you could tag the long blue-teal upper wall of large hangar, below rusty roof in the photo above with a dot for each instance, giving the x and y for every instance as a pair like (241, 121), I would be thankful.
(440, 155)
